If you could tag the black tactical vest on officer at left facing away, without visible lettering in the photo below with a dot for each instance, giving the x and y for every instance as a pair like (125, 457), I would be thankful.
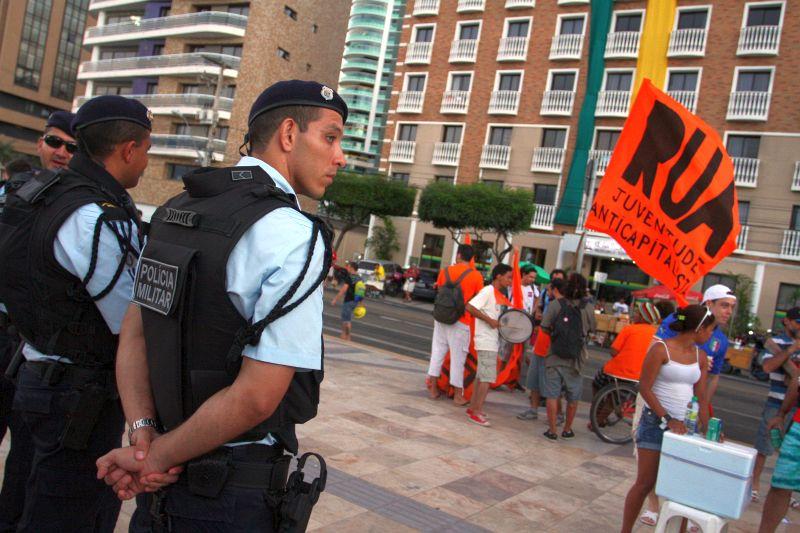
(50, 307)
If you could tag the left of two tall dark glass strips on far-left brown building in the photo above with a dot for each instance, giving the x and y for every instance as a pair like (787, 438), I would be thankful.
(31, 47)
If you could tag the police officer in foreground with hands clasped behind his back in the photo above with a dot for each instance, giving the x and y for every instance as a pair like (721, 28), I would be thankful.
(222, 351)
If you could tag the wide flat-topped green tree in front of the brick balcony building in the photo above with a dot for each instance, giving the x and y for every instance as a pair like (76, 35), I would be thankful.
(479, 209)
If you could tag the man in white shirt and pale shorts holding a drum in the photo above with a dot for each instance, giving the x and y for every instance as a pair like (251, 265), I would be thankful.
(486, 307)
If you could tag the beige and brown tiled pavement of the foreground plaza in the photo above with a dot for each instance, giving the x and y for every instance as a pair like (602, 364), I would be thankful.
(398, 461)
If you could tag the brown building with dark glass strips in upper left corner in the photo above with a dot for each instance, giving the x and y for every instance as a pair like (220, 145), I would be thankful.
(40, 48)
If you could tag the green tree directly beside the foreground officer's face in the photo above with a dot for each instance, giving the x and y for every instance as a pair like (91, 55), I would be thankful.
(352, 198)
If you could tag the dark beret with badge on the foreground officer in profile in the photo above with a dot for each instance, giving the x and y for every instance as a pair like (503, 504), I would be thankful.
(297, 92)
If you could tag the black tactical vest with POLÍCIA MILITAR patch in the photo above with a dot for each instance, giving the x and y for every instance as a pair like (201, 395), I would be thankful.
(193, 332)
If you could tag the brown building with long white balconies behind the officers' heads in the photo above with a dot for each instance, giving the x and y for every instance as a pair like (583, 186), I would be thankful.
(199, 65)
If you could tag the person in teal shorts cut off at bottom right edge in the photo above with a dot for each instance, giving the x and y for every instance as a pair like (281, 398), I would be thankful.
(786, 477)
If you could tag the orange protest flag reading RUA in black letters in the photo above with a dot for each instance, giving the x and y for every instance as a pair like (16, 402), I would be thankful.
(668, 195)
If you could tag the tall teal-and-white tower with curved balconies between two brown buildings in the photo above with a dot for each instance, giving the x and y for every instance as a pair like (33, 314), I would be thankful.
(367, 76)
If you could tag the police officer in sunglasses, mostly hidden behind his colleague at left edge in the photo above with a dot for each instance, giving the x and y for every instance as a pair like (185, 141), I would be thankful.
(55, 149)
